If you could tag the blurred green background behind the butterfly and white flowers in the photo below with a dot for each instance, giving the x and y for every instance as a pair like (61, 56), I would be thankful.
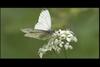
(84, 22)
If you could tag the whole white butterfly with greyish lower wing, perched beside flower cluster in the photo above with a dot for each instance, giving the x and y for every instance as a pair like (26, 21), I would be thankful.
(42, 30)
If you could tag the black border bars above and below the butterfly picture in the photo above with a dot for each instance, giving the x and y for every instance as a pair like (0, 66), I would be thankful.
(48, 4)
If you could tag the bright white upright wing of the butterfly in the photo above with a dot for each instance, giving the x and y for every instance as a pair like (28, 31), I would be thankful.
(44, 21)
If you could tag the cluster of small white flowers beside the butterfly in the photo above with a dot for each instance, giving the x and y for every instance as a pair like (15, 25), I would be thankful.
(59, 39)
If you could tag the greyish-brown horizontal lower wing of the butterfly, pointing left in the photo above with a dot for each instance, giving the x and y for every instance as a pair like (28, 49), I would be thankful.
(37, 34)
